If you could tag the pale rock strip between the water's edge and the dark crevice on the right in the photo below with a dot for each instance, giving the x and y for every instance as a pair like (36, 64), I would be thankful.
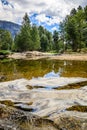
(54, 82)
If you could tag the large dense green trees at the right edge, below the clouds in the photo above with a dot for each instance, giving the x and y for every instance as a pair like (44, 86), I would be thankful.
(73, 29)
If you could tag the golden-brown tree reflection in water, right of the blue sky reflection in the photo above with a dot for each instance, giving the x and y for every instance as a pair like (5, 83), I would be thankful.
(75, 69)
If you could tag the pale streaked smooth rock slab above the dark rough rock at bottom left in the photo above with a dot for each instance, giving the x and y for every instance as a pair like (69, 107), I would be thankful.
(50, 104)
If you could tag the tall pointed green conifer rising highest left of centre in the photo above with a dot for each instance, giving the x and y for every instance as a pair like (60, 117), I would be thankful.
(23, 39)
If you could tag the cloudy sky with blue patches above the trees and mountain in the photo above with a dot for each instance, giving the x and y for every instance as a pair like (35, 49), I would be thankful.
(48, 13)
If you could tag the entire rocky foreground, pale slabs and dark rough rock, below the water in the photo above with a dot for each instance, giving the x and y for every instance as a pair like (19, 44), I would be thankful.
(36, 105)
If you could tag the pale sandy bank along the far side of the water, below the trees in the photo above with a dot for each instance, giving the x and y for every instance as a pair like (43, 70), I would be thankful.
(39, 55)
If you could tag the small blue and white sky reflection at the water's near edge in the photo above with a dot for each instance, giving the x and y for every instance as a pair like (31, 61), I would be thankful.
(53, 74)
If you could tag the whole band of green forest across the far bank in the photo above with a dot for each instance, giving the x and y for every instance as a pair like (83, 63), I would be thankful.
(71, 35)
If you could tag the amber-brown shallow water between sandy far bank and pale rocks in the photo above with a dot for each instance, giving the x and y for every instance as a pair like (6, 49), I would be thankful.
(15, 69)
